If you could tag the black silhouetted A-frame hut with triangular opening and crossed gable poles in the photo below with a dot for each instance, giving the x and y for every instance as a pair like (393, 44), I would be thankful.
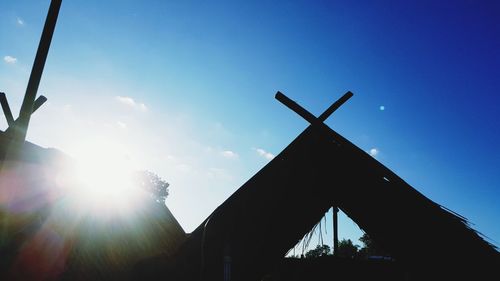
(246, 236)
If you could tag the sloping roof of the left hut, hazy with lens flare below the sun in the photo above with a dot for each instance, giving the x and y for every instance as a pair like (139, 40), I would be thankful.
(43, 237)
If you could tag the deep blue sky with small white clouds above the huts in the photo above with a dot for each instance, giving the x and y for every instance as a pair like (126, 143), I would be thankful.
(186, 89)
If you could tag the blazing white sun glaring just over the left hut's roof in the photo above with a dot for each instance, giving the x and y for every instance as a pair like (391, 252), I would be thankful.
(103, 177)
